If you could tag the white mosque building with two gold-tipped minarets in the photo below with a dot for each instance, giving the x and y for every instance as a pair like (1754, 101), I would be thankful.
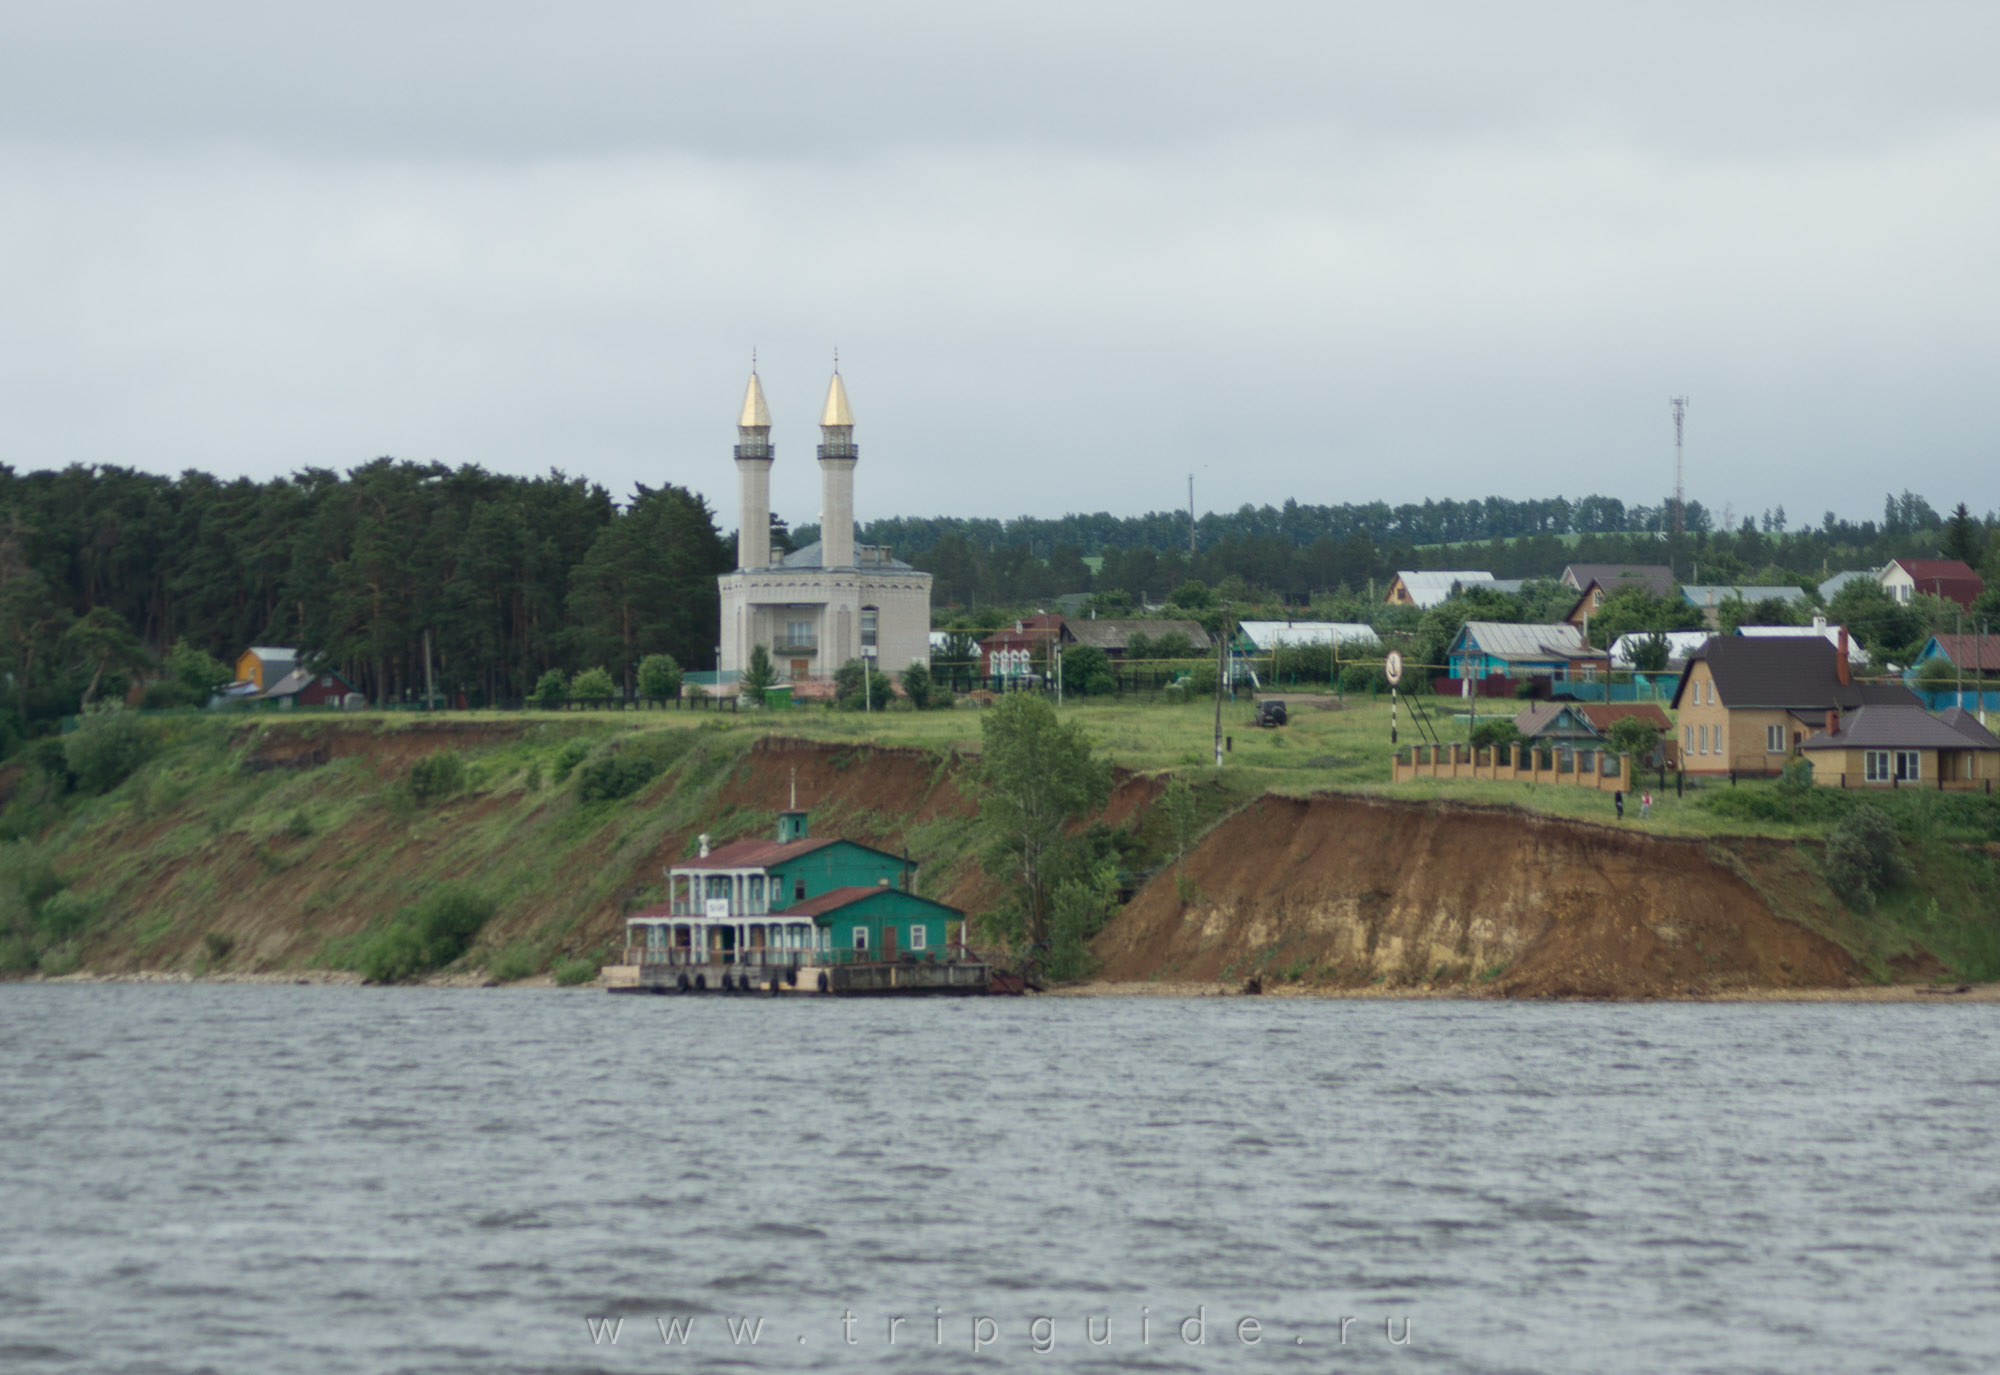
(833, 601)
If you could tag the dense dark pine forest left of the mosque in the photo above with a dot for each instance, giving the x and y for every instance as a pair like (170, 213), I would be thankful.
(107, 571)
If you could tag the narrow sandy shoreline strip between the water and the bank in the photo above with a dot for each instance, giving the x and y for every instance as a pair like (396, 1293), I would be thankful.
(1947, 992)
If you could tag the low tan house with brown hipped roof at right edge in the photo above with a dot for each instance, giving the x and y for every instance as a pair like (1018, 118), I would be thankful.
(1905, 746)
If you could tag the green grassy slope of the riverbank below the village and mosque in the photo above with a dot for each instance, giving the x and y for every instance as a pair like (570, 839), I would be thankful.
(197, 842)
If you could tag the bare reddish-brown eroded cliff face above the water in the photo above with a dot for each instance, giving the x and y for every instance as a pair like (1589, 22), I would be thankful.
(1351, 890)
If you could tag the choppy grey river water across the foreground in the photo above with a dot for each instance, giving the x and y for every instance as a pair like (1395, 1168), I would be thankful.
(241, 1178)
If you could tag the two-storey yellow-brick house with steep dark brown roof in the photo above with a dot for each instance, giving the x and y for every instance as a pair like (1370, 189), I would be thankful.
(1745, 704)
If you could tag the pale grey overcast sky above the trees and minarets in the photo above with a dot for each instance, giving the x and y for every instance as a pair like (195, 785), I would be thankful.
(1069, 253)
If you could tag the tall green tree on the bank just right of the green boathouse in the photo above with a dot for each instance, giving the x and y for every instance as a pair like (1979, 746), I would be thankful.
(1037, 774)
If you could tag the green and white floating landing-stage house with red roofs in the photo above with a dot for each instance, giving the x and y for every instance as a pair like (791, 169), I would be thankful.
(791, 894)
